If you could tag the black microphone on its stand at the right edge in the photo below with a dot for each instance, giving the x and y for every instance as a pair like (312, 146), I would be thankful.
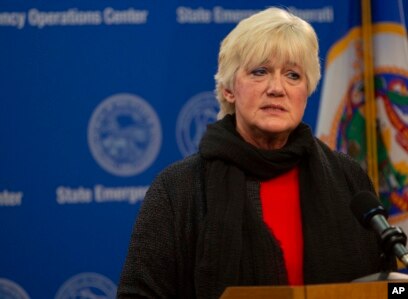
(371, 214)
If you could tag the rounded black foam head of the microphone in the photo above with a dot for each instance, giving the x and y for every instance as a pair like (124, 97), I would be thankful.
(365, 205)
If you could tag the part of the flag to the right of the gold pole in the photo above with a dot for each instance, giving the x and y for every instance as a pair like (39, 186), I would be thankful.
(391, 91)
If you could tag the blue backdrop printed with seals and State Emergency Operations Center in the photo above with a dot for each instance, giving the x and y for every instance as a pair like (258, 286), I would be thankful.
(96, 98)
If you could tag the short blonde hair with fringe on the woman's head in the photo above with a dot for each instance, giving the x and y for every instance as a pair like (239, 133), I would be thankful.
(273, 31)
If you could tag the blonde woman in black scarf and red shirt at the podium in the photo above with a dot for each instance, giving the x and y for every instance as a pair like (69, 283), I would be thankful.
(263, 202)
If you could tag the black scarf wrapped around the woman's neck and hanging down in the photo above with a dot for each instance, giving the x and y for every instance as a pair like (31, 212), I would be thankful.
(235, 246)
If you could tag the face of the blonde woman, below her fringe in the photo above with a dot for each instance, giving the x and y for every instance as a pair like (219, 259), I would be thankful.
(269, 102)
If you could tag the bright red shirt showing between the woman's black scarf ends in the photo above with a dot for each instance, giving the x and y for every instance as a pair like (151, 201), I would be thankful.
(281, 212)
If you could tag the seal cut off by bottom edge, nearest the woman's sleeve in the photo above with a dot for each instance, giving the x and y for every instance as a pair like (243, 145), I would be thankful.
(87, 285)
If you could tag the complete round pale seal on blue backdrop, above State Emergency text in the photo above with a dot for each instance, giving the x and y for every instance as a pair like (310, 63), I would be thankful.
(124, 134)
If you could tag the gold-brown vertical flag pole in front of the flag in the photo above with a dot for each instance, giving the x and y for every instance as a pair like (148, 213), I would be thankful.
(369, 94)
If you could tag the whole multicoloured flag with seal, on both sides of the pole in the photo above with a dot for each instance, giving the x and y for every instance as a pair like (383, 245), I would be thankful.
(342, 114)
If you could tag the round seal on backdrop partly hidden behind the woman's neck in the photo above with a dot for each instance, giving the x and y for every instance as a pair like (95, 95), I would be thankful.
(192, 121)
